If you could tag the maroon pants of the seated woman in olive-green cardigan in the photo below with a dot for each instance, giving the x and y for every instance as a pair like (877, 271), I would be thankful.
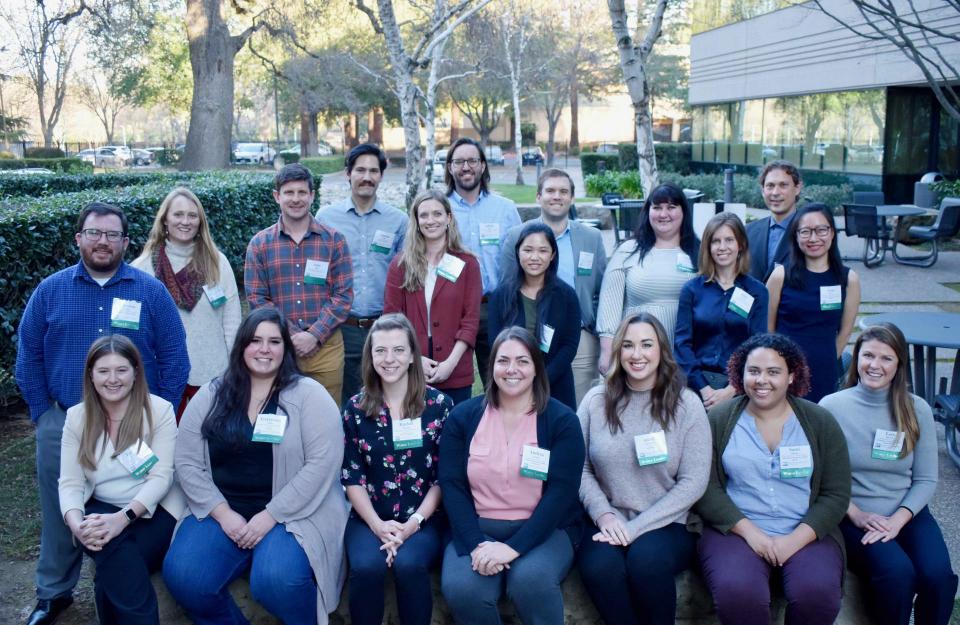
(739, 581)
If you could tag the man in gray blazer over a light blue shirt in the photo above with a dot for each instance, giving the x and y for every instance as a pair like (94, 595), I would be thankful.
(582, 262)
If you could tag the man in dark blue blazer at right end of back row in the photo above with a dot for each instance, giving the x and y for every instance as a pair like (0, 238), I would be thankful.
(781, 186)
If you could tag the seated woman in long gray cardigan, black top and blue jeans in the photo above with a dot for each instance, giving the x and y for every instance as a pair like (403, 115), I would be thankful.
(258, 455)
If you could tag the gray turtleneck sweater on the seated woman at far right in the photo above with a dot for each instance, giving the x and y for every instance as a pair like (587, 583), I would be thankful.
(882, 486)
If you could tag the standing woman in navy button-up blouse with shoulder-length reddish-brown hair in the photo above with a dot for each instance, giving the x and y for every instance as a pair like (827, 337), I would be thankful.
(719, 309)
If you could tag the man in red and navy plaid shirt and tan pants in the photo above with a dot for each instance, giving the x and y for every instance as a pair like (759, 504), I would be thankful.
(303, 268)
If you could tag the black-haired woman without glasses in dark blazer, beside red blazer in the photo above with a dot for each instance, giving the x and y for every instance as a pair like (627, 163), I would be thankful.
(536, 299)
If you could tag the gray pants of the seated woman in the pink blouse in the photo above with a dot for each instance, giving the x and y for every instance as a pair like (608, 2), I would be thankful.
(532, 581)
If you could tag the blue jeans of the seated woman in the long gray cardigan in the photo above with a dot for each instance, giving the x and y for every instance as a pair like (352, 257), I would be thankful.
(203, 561)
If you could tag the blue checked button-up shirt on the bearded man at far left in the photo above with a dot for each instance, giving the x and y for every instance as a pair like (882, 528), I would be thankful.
(69, 311)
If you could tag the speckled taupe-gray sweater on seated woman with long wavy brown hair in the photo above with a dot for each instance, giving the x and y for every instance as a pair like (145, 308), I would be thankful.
(645, 497)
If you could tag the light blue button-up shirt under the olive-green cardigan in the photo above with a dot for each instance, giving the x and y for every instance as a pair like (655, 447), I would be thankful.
(774, 504)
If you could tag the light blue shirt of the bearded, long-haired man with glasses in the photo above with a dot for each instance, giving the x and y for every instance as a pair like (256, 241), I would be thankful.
(489, 209)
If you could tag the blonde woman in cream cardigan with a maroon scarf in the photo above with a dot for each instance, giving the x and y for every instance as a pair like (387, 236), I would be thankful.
(181, 254)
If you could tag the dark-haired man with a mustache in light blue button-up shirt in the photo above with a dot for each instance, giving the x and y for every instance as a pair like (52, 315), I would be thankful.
(374, 231)
